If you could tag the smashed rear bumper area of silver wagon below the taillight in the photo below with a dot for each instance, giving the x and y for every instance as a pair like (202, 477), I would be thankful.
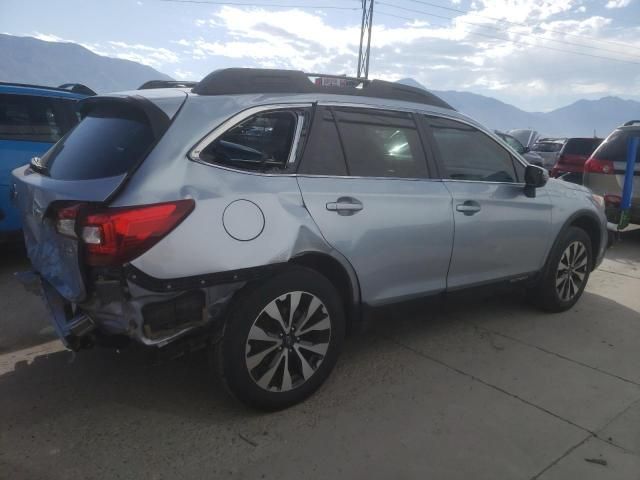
(124, 310)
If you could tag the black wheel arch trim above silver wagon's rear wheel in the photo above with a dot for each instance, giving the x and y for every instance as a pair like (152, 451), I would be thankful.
(342, 276)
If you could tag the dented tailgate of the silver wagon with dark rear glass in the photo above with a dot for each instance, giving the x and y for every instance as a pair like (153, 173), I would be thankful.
(87, 165)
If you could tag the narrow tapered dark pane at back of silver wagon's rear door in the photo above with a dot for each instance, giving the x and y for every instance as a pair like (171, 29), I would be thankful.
(323, 153)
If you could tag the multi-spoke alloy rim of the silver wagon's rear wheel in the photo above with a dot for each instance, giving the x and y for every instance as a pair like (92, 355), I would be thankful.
(288, 341)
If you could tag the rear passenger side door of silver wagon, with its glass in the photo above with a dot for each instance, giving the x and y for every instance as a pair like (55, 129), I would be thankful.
(364, 179)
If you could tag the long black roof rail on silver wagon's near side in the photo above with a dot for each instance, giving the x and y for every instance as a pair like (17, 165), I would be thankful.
(232, 81)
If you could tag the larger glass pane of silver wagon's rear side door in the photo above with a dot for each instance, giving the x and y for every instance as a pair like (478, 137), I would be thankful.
(381, 144)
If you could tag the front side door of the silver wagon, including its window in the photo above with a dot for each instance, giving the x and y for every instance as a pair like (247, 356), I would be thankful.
(499, 232)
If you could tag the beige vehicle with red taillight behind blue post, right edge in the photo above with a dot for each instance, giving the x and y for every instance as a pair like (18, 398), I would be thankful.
(604, 171)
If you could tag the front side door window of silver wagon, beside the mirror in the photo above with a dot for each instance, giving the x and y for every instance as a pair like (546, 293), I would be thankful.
(469, 154)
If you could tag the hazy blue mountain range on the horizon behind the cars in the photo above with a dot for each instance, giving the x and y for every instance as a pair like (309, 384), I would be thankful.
(29, 60)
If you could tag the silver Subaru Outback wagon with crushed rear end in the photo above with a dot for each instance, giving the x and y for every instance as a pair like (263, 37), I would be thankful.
(260, 211)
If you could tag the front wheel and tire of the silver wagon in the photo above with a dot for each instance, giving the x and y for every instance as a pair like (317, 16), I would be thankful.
(566, 274)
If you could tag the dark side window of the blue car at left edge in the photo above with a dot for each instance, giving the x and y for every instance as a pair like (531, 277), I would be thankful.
(35, 119)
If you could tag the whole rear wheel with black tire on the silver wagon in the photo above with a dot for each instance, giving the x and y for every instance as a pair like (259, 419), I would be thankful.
(271, 358)
